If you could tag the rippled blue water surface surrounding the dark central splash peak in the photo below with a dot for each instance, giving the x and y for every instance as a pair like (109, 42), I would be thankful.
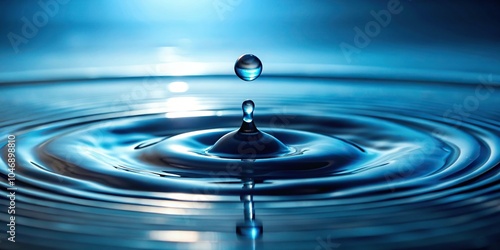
(375, 165)
